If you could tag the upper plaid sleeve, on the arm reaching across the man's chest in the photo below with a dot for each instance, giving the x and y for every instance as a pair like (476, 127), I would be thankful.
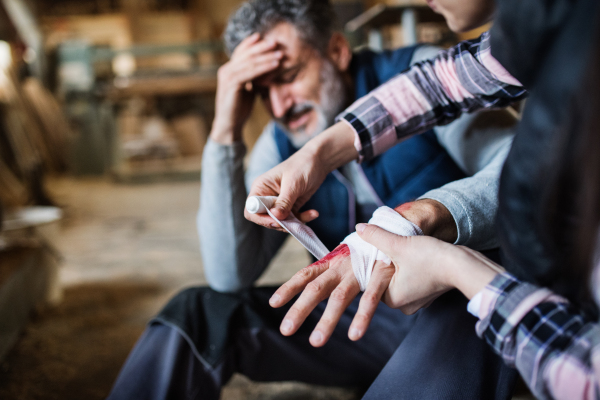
(464, 78)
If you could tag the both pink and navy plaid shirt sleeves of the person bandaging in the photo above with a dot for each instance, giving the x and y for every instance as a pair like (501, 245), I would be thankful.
(556, 350)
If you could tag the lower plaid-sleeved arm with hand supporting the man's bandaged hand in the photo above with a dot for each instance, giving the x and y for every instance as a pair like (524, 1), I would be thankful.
(554, 347)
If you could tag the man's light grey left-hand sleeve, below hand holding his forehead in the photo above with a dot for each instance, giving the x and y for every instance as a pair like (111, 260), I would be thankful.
(235, 251)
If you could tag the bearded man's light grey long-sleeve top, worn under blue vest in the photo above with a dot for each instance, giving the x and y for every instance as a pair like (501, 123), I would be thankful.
(236, 251)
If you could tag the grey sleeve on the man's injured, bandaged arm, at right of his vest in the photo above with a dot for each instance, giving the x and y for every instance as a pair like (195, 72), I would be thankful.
(479, 144)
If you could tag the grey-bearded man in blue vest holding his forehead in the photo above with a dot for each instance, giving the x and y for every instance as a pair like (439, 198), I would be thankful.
(287, 53)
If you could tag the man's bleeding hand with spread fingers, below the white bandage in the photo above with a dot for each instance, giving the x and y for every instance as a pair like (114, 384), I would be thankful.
(333, 278)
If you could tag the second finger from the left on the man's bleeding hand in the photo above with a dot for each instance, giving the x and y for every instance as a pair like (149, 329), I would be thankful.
(314, 293)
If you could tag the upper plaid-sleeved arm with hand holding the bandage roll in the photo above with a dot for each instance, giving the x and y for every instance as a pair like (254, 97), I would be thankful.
(464, 78)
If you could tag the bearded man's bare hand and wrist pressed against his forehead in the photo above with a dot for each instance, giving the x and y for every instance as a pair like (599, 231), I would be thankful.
(251, 59)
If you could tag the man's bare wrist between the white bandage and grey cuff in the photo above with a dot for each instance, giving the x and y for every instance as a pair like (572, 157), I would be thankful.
(432, 217)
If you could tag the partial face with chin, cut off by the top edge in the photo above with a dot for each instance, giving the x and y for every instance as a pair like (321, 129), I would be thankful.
(464, 15)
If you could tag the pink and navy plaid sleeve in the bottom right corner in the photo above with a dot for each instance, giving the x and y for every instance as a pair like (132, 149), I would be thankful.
(556, 350)
